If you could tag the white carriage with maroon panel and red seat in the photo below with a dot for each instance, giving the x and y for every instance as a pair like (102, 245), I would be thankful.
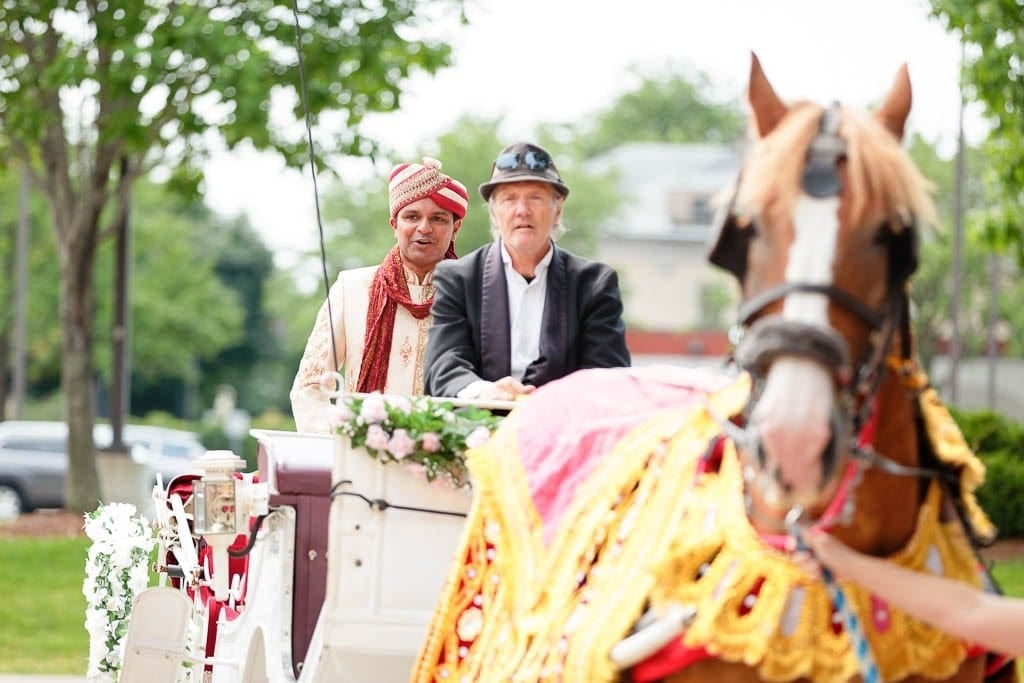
(327, 567)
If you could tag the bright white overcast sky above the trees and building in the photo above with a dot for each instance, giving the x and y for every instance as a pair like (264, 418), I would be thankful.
(549, 61)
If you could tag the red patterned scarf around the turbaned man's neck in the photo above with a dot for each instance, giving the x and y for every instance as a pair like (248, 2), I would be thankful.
(388, 291)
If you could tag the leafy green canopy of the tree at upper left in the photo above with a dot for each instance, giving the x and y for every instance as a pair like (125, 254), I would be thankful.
(201, 68)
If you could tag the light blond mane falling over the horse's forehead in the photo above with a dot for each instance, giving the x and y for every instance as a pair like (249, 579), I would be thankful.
(882, 182)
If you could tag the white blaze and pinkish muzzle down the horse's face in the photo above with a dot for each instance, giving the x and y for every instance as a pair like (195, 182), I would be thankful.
(793, 415)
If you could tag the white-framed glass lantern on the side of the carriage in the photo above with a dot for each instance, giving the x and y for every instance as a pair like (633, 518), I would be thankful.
(222, 505)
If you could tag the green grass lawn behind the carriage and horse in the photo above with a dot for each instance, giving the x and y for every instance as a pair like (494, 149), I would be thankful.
(44, 610)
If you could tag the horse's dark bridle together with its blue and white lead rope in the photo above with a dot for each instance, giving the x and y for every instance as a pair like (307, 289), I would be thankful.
(761, 338)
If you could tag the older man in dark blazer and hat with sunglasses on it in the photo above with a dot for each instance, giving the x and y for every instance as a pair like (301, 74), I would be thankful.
(522, 312)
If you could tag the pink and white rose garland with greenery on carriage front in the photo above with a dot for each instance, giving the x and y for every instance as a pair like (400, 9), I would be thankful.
(429, 436)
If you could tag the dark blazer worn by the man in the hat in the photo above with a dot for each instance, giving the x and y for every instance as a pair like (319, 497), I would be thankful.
(470, 338)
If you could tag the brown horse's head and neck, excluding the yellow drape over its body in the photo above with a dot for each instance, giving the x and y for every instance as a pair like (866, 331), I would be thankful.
(822, 234)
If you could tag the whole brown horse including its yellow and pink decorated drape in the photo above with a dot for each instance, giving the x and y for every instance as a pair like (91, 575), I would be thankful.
(642, 532)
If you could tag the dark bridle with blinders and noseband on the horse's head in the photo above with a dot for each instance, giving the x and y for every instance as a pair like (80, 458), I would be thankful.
(761, 338)
